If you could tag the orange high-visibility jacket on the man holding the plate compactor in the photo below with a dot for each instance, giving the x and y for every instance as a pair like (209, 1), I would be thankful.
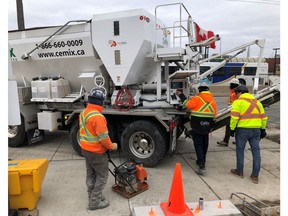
(93, 130)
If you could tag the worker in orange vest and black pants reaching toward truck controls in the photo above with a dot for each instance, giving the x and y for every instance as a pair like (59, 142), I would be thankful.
(203, 112)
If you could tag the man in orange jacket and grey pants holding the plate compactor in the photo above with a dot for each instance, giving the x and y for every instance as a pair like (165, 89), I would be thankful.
(95, 141)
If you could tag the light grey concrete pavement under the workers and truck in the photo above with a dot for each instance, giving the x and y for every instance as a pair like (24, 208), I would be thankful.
(64, 190)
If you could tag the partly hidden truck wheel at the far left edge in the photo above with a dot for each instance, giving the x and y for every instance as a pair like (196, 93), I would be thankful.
(17, 135)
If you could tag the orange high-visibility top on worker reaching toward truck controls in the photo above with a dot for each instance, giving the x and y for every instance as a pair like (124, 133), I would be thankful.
(202, 105)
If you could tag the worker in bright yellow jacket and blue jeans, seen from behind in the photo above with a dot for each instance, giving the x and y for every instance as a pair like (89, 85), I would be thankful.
(248, 123)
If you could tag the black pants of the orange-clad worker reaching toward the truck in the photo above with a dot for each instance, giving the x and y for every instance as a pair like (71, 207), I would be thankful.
(201, 142)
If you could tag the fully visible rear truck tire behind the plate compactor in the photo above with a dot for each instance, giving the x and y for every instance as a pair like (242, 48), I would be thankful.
(145, 142)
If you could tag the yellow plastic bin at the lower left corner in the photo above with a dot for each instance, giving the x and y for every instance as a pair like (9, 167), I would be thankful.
(25, 178)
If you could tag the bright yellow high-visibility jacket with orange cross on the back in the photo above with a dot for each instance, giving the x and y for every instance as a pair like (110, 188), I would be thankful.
(247, 112)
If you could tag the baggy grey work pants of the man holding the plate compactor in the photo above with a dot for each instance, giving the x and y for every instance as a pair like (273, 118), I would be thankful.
(96, 175)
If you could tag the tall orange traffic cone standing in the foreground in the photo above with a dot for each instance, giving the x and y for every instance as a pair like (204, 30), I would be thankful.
(176, 204)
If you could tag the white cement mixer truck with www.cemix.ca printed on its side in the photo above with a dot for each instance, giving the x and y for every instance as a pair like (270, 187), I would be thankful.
(127, 54)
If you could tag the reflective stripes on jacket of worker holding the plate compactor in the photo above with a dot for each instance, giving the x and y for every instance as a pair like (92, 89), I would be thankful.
(88, 137)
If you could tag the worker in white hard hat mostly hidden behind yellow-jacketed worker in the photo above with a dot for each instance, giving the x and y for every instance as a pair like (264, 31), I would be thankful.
(234, 83)
